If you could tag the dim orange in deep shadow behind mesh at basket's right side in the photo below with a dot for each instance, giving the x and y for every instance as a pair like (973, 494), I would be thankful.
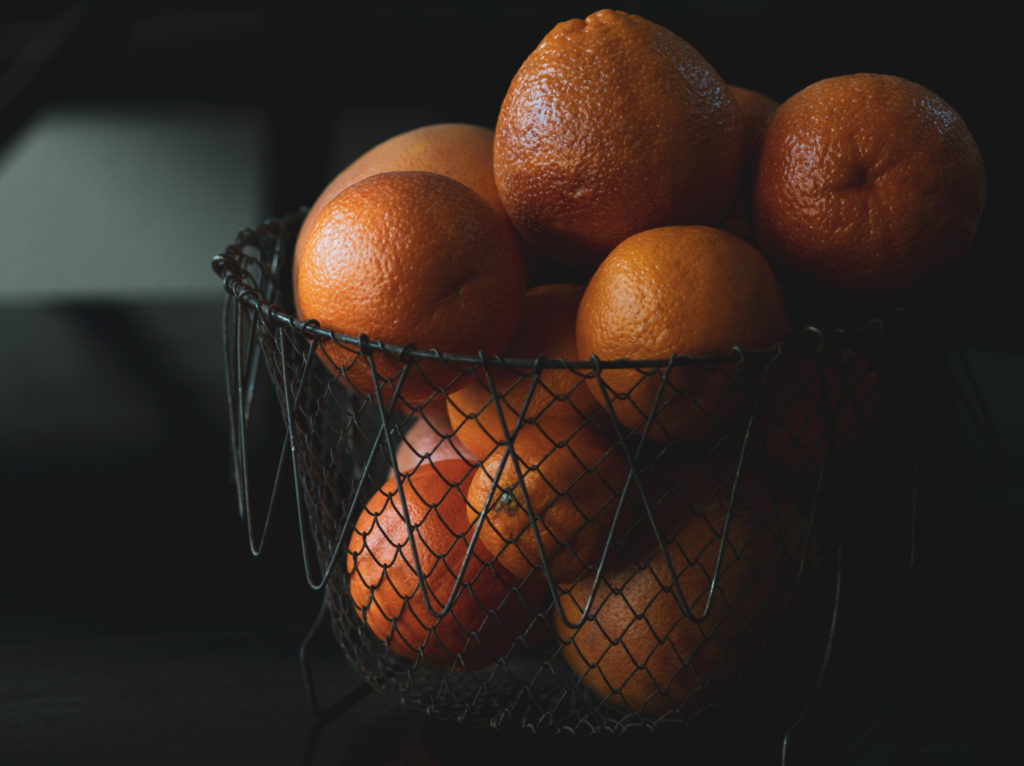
(797, 438)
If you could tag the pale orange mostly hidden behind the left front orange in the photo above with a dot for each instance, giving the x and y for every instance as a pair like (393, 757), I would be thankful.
(460, 151)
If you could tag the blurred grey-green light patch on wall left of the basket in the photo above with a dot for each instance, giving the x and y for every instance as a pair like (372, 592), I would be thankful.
(129, 201)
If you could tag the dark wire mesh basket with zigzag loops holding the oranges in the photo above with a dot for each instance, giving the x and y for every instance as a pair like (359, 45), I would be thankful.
(607, 572)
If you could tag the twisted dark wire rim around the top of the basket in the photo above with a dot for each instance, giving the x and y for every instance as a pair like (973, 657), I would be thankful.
(238, 281)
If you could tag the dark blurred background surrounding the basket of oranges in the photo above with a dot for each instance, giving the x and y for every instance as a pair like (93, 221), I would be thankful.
(135, 624)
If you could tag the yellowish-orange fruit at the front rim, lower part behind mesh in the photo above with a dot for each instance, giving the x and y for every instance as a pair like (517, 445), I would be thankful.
(678, 290)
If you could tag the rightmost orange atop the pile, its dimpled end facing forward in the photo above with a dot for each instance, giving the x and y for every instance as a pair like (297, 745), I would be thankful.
(871, 184)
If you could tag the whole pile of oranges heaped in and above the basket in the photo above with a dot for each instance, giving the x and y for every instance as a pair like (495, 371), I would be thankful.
(627, 205)
